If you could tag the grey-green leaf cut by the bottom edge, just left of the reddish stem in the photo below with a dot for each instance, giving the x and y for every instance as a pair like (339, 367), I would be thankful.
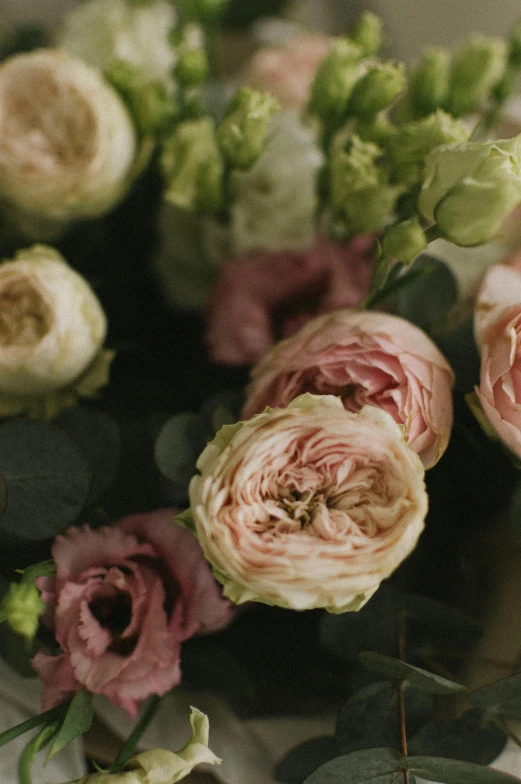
(371, 766)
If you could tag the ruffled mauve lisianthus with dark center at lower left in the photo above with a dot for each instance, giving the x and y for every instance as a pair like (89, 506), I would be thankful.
(124, 599)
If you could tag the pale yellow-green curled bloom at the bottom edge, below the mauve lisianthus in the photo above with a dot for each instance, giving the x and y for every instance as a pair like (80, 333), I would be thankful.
(159, 766)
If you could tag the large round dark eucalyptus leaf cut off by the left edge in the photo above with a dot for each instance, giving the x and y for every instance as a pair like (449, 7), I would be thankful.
(48, 479)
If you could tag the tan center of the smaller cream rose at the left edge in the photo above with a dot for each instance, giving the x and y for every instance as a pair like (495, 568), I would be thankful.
(25, 318)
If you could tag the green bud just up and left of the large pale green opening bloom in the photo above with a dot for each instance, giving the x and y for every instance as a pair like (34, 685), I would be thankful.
(411, 144)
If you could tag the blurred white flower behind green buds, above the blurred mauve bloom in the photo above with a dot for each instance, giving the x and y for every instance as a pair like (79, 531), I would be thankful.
(275, 202)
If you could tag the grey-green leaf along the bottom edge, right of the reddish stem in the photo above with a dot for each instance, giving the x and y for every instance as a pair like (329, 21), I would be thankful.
(449, 771)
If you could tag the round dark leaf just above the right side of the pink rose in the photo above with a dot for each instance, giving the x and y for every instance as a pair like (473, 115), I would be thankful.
(428, 298)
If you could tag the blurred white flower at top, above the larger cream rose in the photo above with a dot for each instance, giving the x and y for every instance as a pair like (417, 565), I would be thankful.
(102, 32)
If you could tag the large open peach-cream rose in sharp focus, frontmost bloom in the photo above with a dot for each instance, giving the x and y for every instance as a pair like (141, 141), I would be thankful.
(308, 506)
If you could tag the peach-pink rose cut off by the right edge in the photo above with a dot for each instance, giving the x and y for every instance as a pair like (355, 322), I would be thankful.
(498, 335)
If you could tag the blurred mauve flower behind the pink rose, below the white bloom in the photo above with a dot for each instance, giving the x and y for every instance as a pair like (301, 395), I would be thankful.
(267, 296)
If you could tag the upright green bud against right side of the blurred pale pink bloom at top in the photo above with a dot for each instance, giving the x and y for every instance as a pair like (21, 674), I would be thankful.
(334, 81)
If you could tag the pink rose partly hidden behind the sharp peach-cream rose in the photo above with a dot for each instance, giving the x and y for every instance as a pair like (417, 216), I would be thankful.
(364, 358)
